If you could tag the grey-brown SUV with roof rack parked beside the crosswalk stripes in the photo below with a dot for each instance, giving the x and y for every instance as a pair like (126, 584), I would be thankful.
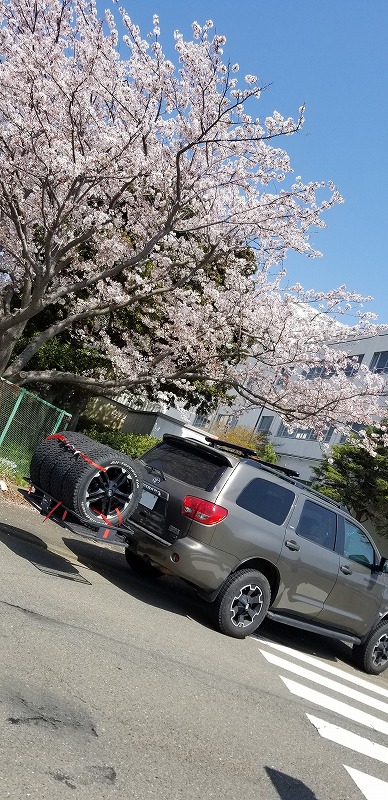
(256, 543)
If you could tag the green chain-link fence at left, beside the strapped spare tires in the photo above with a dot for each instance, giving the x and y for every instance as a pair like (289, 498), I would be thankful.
(25, 420)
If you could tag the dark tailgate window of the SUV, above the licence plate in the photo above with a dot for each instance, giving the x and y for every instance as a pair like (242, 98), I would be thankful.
(186, 464)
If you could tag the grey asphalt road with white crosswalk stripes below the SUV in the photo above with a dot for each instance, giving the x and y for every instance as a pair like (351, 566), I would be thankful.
(114, 687)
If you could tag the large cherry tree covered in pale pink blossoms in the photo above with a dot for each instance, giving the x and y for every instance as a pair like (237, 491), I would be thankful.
(147, 209)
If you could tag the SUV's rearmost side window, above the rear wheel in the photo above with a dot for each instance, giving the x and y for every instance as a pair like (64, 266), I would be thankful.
(267, 500)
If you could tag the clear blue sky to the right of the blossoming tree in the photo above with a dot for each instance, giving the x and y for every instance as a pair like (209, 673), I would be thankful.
(331, 55)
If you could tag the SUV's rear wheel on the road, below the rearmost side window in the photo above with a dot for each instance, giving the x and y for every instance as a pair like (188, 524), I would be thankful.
(242, 603)
